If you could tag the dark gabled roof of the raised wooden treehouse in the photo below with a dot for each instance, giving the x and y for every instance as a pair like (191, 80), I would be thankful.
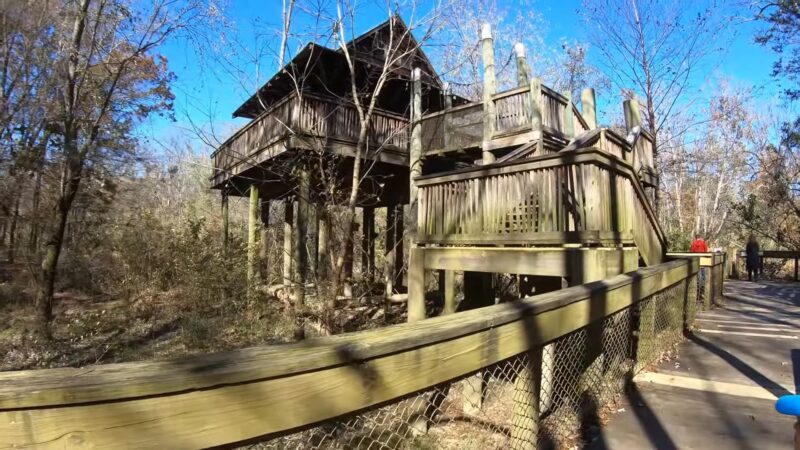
(319, 67)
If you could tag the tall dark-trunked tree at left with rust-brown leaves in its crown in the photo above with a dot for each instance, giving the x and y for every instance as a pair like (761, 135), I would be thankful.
(108, 80)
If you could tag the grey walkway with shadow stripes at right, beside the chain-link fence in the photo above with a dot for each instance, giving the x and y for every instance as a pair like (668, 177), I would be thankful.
(719, 393)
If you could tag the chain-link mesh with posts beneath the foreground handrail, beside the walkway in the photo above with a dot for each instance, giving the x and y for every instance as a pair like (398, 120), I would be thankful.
(553, 396)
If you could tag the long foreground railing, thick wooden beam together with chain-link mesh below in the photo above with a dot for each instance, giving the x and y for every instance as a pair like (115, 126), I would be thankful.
(281, 392)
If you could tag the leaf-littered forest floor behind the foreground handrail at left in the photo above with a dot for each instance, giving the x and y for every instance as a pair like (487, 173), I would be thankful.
(100, 328)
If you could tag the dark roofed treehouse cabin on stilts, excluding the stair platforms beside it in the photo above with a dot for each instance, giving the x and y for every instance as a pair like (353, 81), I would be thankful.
(300, 144)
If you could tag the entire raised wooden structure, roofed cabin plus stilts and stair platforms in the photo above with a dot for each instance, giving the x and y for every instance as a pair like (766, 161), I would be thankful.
(523, 182)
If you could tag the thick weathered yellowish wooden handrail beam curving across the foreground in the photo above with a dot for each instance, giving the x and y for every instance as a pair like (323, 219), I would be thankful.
(230, 397)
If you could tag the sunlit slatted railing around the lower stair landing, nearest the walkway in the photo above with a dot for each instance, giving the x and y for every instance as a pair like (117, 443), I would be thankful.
(572, 191)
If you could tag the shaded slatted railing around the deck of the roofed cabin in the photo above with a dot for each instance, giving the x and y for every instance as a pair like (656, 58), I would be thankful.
(312, 116)
